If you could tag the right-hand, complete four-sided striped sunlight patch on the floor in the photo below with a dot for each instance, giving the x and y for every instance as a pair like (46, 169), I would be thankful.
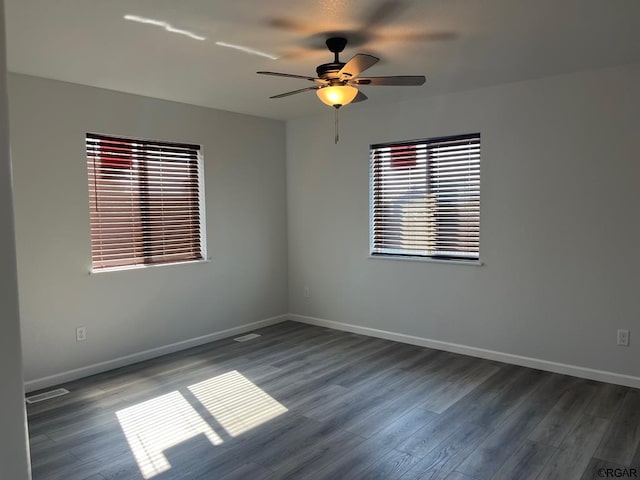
(236, 403)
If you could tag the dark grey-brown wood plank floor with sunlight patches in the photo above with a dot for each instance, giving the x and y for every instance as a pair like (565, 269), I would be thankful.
(303, 402)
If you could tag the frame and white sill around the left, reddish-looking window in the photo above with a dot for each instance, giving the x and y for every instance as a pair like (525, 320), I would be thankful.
(199, 163)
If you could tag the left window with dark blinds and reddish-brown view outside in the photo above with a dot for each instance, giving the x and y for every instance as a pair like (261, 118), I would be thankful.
(146, 202)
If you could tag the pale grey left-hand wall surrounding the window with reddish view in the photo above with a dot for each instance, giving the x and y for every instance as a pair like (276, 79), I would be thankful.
(127, 312)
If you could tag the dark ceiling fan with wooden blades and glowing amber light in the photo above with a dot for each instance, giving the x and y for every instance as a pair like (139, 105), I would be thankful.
(337, 82)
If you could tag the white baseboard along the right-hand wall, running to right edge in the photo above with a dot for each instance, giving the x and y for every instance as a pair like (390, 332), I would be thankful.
(565, 369)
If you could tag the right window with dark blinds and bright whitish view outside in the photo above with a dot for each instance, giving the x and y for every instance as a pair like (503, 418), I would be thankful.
(425, 198)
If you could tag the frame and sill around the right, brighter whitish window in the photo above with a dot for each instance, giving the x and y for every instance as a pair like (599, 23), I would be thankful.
(430, 258)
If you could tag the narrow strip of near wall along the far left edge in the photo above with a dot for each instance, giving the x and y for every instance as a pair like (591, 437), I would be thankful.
(14, 450)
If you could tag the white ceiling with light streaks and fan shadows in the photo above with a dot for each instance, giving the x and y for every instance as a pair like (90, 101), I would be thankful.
(458, 45)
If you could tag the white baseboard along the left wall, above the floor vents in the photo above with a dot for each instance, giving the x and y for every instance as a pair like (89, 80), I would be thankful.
(82, 372)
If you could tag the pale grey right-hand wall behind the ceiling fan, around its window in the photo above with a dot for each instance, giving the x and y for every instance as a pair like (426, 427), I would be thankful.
(560, 180)
